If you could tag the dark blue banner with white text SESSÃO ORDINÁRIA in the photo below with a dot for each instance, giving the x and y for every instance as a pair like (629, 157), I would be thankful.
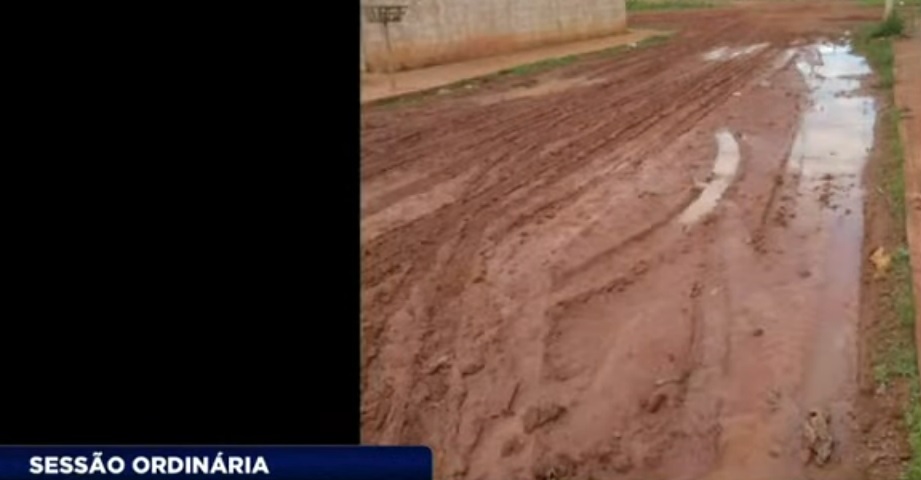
(303, 463)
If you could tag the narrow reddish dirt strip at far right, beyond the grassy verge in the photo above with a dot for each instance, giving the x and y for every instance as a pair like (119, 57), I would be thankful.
(908, 96)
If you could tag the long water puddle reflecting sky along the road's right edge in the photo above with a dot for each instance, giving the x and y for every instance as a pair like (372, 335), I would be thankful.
(828, 157)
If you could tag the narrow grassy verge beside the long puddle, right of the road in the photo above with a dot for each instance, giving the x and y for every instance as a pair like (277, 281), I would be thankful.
(895, 358)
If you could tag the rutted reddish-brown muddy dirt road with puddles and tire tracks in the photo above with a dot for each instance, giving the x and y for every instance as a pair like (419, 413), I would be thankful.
(645, 267)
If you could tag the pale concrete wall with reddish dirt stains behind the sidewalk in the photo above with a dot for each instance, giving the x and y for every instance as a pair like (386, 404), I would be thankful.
(440, 31)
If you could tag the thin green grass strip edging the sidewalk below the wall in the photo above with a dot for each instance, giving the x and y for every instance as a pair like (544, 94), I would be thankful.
(518, 71)
